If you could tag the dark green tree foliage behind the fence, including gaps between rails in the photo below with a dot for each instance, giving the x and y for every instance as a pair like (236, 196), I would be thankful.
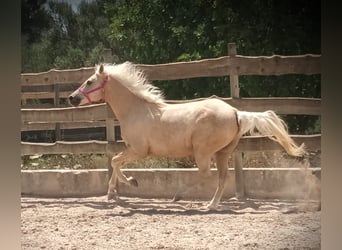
(161, 31)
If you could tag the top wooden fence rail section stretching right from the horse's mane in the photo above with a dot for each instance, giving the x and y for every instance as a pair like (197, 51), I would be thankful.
(241, 65)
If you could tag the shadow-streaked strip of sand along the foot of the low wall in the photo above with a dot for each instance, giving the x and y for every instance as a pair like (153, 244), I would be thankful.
(130, 206)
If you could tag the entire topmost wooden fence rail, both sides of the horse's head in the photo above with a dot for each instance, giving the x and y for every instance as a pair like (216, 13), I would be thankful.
(214, 67)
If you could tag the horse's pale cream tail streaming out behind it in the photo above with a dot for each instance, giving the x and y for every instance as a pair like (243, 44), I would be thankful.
(270, 125)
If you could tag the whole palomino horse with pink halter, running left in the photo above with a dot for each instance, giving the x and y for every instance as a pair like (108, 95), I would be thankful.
(207, 129)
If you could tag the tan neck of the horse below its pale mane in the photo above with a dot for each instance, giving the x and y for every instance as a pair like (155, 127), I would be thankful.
(123, 102)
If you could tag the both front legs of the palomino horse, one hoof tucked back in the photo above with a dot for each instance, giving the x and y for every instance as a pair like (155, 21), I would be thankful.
(118, 161)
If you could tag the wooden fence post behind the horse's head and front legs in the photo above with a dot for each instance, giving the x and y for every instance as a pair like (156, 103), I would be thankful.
(110, 129)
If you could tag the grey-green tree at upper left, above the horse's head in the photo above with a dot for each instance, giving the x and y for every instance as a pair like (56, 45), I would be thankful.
(71, 39)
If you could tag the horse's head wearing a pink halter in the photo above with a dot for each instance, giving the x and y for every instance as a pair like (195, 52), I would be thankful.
(92, 90)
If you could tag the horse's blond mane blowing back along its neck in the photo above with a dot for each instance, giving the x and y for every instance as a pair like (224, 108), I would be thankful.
(135, 80)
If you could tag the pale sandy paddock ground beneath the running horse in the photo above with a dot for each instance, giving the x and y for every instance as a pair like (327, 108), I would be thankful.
(93, 223)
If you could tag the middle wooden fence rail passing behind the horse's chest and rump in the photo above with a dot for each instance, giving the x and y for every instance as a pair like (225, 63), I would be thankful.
(99, 112)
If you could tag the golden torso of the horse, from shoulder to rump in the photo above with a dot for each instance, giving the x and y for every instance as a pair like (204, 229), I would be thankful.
(210, 123)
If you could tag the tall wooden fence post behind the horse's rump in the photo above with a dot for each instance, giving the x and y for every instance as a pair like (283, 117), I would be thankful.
(237, 155)
